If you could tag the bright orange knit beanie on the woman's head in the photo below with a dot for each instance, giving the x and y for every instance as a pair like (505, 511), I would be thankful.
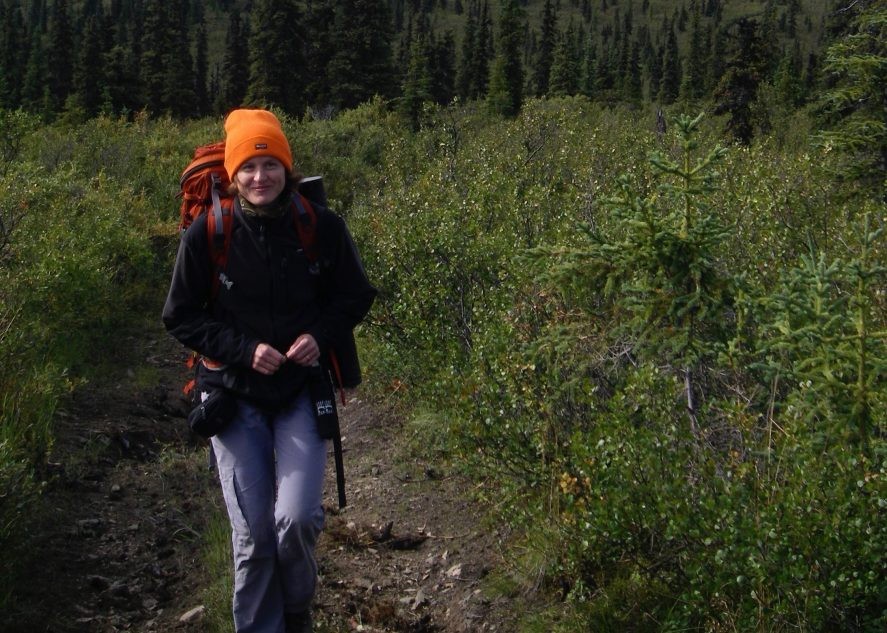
(250, 133)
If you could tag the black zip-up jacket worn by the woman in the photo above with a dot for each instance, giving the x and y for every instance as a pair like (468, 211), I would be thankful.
(269, 292)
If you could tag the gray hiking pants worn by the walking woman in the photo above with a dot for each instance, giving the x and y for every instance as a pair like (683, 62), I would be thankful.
(271, 468)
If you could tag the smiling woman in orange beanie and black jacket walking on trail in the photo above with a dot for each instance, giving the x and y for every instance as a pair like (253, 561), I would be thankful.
(275, 314)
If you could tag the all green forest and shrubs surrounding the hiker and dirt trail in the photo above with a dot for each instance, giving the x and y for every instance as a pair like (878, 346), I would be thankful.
(630, 257)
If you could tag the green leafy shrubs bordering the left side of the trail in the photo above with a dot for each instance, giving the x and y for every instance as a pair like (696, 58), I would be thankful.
(76, 265)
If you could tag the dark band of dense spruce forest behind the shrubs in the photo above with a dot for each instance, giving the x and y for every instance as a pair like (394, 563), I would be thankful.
(191, 58)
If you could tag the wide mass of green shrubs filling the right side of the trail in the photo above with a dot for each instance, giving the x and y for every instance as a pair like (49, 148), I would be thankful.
(684, 419)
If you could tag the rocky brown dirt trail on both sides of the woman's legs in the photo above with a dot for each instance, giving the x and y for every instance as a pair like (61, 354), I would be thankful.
(129, 493)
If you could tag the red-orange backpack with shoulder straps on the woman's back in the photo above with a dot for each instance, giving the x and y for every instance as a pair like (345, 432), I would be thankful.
(204, 186)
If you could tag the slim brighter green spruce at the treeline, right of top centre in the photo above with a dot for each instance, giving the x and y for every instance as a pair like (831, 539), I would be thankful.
(505, 95)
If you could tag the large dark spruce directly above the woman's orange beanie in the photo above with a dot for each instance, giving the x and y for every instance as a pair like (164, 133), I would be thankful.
(276, 56)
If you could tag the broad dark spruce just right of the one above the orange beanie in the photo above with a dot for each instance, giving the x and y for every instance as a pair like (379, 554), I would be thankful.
(361, 66)
